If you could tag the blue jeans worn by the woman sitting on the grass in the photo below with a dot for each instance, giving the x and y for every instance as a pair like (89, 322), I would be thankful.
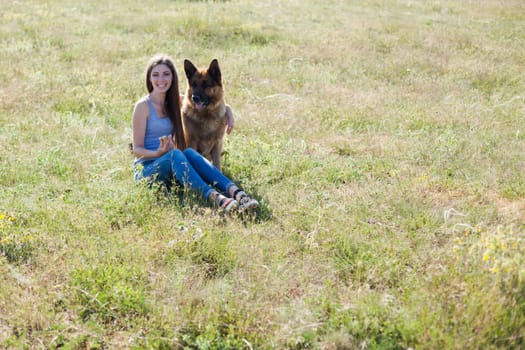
(188, 167)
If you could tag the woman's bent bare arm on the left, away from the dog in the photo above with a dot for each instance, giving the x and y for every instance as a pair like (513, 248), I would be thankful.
(140, 118)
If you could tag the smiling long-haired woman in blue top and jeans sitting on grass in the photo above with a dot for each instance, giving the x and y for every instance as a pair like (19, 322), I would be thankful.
(158, 142)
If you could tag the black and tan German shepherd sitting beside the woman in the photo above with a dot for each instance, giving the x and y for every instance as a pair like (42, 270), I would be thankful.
(204, 111)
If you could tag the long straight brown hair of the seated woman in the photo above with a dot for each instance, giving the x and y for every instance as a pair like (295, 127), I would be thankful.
(172, 102)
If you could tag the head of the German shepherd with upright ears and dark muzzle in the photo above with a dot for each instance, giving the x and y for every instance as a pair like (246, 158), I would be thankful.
(204, 85)
